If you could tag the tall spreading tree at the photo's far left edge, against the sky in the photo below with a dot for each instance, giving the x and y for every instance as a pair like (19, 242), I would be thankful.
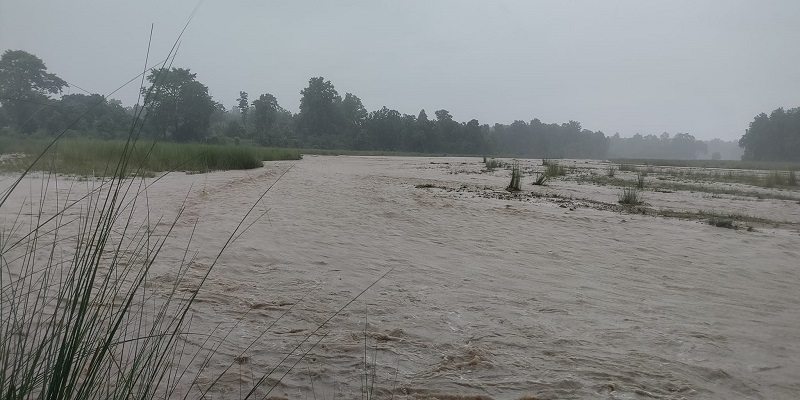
(25, 86)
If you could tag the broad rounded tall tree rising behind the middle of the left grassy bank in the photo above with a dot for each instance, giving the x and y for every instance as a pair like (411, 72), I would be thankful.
(178, 105)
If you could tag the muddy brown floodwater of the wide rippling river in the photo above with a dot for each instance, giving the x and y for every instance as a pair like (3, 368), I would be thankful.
(554, 291)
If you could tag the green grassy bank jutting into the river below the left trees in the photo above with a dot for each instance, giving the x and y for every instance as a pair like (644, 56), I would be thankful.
(82, 156)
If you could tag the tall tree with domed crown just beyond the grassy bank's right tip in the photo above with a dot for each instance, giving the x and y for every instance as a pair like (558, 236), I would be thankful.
(320, 111)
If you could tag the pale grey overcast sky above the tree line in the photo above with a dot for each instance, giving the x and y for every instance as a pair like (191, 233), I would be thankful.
(703, 67)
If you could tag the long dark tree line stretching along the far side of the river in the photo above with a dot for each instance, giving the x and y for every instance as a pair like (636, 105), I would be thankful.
(178, 107)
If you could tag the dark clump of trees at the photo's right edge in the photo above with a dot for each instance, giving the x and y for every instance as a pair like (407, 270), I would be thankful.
(773, 138)
